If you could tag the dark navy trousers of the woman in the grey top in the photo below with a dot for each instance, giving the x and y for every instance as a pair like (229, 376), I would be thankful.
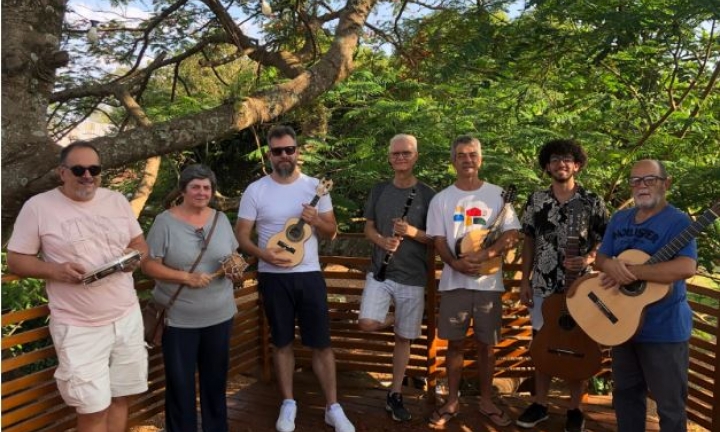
(206, 350)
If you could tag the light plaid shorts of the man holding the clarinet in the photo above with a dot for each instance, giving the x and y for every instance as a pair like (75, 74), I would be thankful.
(409, 304)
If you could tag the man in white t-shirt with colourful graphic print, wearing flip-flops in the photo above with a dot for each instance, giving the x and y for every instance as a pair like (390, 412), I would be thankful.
(467, 295)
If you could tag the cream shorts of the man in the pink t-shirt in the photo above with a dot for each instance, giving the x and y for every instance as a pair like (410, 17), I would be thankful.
(99, 363)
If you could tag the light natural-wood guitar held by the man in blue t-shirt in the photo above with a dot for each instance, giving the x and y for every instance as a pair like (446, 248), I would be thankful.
(613, 316)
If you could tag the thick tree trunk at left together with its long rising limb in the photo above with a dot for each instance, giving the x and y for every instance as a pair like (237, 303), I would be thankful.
(29, 156)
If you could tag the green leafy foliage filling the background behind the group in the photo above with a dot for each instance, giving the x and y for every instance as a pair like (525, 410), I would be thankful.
(629, 81)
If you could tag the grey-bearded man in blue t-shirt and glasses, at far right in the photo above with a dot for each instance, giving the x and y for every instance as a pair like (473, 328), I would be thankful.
(656, 359)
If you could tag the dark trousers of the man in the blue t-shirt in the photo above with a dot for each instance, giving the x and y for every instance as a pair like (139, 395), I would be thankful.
(661, 369)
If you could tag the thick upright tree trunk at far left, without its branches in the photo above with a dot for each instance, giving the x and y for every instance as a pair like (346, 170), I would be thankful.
(30, 55)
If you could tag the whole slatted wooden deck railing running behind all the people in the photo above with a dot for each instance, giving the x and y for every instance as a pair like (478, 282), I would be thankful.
(30, 401)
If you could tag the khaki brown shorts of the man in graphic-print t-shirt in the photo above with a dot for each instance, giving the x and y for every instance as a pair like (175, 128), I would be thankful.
(459, 306)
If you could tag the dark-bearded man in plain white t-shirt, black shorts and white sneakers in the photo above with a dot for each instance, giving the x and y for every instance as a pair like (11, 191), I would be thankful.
(292, 291)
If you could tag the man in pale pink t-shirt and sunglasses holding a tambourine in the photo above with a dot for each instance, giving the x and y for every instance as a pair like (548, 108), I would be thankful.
(97, 330)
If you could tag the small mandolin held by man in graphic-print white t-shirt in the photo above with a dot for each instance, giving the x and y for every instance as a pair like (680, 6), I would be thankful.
(477, 240)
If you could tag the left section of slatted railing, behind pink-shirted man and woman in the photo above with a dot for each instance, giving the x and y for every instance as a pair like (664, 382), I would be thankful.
(31, 402)
